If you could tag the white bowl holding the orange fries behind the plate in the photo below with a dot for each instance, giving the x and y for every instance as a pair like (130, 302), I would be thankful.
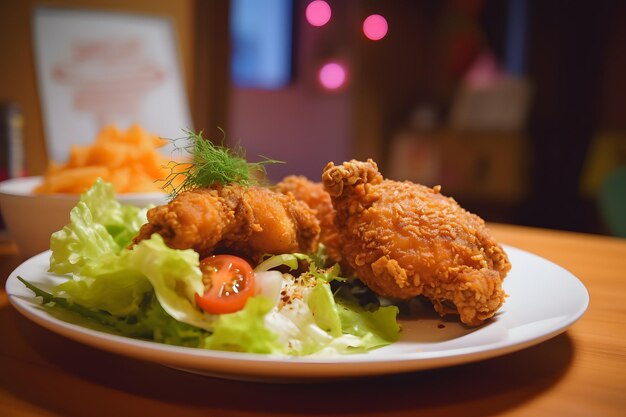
(32, 218)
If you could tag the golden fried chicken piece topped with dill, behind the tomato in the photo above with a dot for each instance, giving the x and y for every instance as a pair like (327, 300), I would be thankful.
(247, 221)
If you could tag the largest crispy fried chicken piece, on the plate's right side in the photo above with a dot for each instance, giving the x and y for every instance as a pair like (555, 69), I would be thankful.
(405, 239)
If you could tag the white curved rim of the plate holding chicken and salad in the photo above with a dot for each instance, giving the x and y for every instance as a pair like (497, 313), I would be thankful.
(209, 362)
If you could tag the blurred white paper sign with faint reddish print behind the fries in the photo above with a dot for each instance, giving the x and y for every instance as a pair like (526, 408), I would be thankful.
(97, 68)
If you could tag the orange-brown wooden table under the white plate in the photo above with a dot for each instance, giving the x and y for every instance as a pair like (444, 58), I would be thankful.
(579, 373)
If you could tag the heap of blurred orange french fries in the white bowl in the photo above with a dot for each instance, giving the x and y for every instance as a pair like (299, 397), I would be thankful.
(130, 160)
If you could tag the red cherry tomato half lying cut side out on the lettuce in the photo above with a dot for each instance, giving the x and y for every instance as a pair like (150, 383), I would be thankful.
(228, 282)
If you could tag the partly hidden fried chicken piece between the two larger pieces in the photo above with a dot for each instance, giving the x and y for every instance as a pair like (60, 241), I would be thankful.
(314, 195)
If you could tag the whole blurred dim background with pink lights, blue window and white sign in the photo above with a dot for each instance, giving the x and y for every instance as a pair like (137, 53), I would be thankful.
(516, 107)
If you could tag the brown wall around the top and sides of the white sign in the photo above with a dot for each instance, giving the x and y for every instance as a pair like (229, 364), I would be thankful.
(17, 73)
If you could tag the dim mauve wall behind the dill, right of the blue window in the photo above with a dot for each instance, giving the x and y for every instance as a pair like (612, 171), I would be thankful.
(300, 124)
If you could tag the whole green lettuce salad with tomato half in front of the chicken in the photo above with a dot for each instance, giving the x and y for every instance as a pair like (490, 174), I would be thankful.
(288, 304)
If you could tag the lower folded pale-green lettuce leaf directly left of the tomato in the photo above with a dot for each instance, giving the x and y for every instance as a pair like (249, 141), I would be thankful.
(118, 283)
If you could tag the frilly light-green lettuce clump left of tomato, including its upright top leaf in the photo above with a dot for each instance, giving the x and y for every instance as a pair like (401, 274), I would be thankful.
(110, 277)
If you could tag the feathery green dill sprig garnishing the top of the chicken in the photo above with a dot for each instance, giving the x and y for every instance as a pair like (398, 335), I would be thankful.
(211, 164)
